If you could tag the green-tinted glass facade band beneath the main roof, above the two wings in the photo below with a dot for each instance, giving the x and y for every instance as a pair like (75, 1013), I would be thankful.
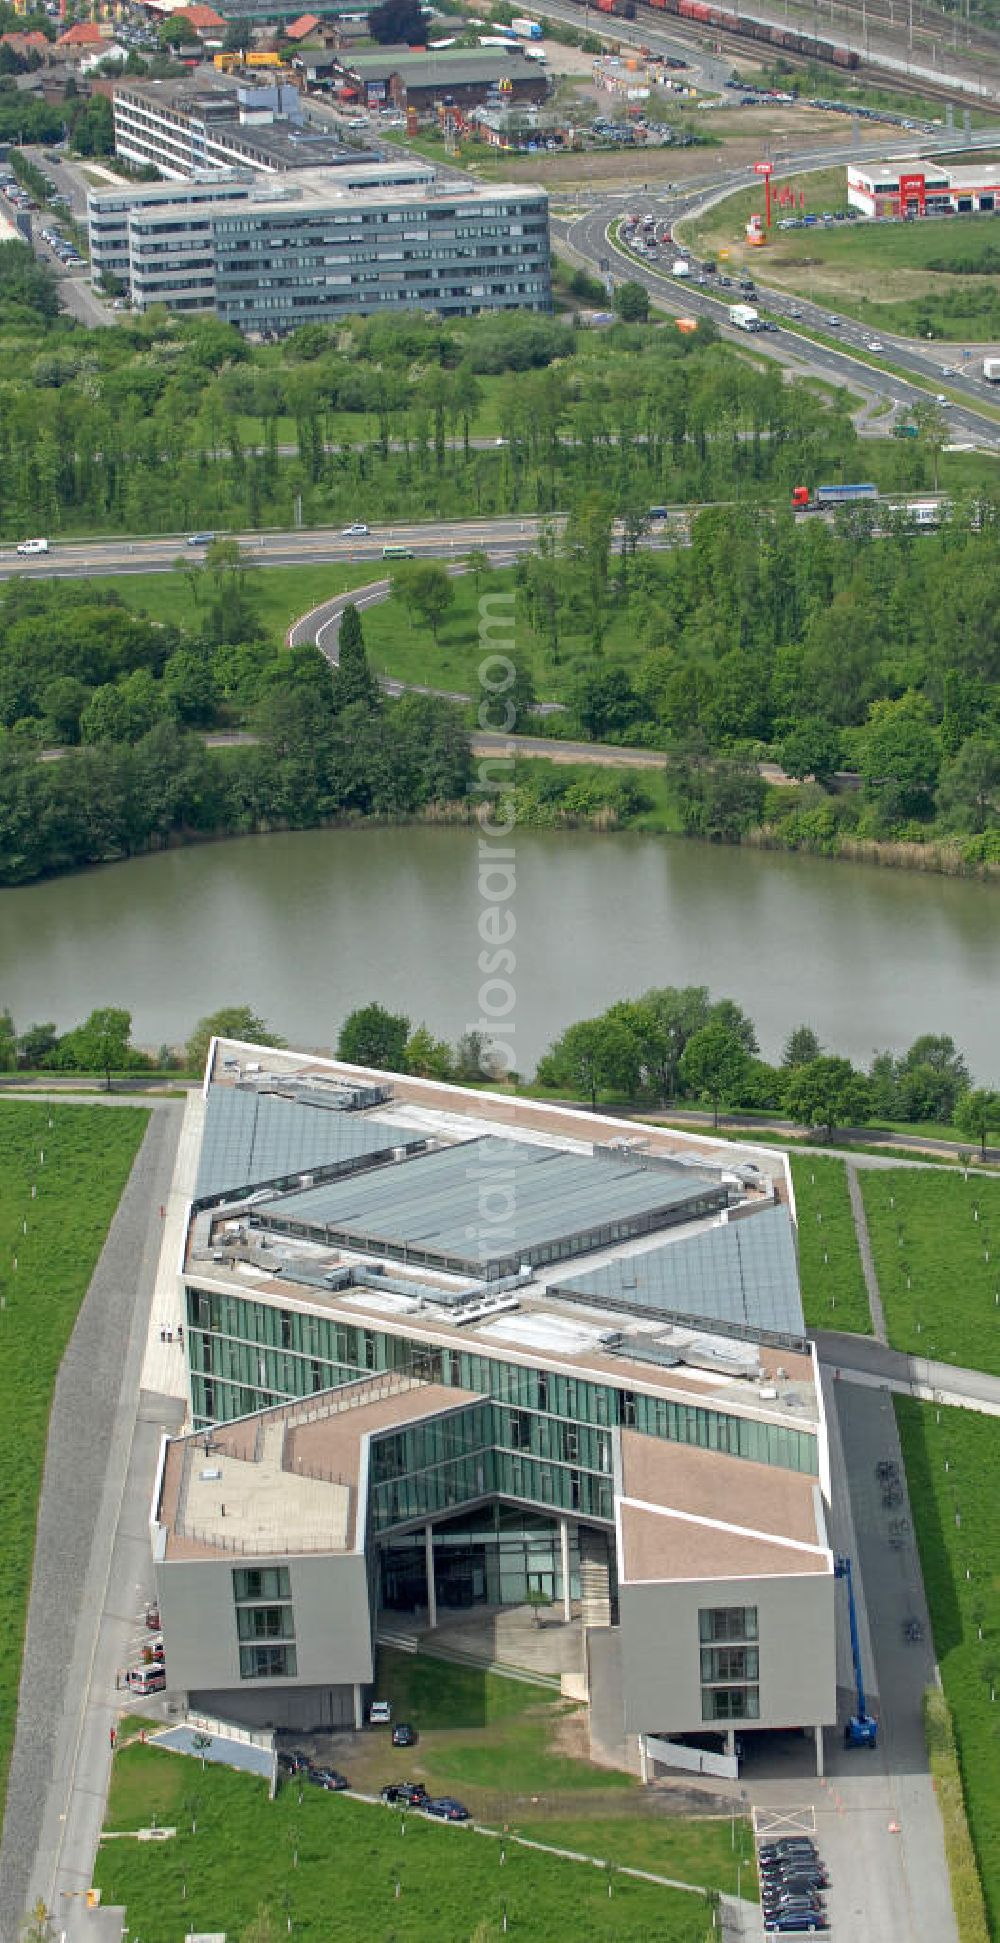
(250, 1355)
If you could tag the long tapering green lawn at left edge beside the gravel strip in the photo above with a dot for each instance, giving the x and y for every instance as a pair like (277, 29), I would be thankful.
(88, 1153)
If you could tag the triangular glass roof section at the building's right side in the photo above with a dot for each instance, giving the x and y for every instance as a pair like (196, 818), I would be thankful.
(743, 1276)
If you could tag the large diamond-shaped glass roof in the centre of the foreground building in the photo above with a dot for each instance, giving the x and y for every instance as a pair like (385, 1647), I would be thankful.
(502, 1202)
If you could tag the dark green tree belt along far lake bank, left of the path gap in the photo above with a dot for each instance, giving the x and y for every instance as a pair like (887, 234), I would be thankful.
(329, 747)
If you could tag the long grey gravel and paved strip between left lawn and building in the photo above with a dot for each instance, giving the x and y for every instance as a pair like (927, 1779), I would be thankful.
(90, 1437)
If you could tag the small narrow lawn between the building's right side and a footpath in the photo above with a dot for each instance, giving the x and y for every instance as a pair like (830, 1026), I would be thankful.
(834, 1295)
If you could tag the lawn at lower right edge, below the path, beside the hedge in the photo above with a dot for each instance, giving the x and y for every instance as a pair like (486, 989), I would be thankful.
(960, 1606)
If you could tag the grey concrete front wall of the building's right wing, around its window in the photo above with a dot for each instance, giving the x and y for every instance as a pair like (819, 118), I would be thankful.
(661, 1653)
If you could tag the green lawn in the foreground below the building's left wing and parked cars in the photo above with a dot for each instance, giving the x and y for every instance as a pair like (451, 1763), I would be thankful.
(339, 1868)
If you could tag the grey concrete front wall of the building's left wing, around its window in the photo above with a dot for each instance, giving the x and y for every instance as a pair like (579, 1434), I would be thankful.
(331, 1616)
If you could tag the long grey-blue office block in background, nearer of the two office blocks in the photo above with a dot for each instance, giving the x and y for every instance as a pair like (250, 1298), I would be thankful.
(271, 256)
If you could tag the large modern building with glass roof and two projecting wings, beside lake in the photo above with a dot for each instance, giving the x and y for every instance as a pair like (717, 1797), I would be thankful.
(440, 1365)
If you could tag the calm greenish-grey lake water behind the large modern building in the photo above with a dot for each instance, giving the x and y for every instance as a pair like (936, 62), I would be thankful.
(314, 924)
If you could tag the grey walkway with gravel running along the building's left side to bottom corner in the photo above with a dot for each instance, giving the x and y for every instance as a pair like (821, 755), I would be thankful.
(90, 1441)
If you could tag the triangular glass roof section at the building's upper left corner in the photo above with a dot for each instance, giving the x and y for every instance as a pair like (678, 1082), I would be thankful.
(253, 1138)
